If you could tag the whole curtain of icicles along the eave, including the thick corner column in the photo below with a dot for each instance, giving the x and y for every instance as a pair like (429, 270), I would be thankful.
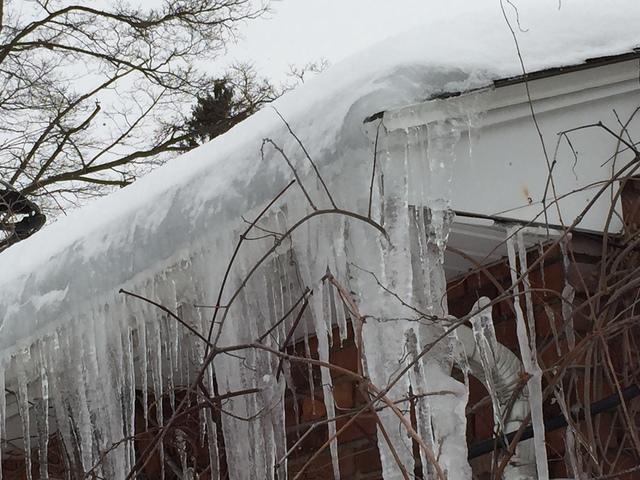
(85, 371)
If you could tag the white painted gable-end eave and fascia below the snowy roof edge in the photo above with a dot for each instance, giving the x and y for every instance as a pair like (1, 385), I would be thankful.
(503, 149)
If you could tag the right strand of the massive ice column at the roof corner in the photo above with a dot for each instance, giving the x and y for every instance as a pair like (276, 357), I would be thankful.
(448, 411)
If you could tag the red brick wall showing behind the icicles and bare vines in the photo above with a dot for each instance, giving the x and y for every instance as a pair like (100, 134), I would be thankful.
(357, 446)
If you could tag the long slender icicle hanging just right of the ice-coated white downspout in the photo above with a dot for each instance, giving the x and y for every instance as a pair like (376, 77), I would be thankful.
(530, 364)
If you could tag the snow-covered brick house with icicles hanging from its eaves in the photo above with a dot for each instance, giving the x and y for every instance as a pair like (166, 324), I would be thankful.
(391, 267)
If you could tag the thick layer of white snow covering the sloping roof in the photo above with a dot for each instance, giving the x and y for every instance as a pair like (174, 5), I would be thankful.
(199, 197)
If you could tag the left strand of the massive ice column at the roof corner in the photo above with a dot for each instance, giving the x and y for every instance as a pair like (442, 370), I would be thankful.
(383, 333)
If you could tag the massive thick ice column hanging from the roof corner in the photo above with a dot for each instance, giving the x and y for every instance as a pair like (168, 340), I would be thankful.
(417, 166)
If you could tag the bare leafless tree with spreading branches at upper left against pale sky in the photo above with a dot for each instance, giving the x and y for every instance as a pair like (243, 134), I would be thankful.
(87, 92)
